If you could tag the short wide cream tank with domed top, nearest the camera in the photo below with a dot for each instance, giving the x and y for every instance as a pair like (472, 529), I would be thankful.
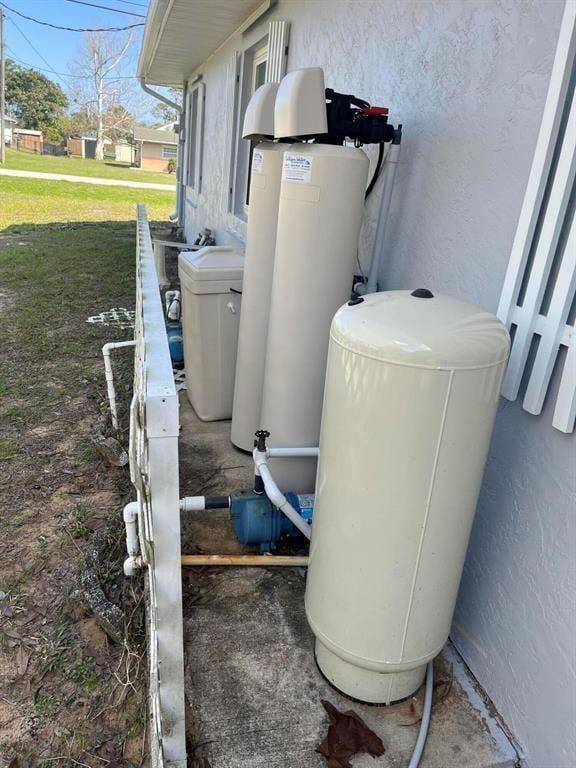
(412, 387)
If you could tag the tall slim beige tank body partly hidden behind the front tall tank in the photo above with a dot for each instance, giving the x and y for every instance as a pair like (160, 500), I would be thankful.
(258, 271)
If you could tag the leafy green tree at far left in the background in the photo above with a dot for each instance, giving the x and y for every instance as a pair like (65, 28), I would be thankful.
(34, 100)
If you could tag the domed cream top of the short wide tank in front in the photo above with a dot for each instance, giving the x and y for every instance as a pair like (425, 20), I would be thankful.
(421, 328)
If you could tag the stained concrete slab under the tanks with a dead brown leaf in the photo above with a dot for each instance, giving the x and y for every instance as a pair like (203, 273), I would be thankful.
(253, 689)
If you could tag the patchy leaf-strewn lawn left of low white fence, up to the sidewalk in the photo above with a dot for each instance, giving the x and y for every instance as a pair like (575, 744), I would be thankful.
(69, 693)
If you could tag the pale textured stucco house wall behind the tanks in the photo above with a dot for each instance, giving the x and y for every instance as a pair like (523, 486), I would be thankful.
(468, 80)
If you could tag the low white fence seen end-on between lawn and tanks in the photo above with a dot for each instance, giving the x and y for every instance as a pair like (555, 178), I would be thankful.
(153, 453)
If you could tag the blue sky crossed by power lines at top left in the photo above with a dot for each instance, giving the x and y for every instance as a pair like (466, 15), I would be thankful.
(53, 50)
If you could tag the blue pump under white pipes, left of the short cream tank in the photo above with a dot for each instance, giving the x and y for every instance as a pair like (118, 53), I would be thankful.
(257, 522)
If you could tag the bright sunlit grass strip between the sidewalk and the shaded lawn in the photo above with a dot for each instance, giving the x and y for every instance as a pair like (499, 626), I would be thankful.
(36, 201)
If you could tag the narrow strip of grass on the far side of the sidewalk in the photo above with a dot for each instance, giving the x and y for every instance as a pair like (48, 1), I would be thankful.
(22, 160)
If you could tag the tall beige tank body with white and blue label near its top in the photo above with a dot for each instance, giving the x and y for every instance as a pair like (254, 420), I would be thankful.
(319, 219)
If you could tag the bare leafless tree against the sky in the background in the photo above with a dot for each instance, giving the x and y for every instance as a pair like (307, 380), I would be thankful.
(100, 90)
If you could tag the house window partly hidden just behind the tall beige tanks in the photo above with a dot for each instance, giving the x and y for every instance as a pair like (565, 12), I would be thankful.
(253, 75)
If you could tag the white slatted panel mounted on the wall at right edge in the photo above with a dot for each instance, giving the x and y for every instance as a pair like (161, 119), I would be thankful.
(540, 284)
